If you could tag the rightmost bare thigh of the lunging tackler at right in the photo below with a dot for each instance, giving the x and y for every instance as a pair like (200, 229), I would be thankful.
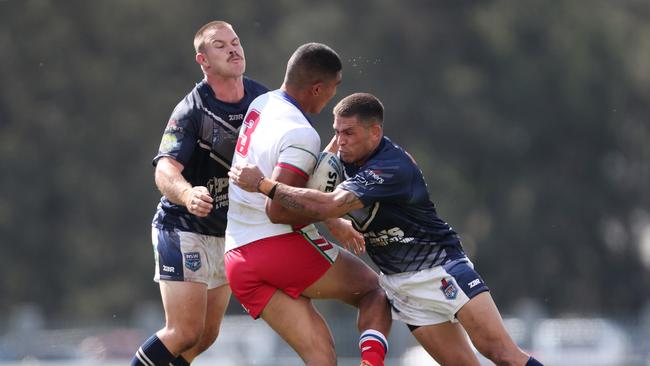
(481, 318)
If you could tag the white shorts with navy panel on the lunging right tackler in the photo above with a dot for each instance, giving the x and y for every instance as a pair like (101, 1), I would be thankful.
(434, 295)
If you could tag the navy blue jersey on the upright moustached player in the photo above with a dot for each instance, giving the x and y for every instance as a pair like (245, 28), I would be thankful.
(201, 134)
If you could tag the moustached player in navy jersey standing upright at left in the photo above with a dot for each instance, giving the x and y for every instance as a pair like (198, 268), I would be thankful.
(188, 228)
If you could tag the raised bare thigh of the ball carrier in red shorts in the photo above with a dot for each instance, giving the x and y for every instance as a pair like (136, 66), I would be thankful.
(349, 279)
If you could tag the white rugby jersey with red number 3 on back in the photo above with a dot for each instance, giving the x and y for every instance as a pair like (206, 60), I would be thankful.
(275, 132)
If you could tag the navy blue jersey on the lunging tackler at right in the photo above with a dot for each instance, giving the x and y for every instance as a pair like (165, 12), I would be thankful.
(401, 227)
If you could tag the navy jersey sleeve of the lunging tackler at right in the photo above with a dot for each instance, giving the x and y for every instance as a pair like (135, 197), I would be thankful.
(386, 183)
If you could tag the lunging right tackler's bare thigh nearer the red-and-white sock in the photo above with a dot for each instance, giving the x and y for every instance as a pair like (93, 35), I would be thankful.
(446, 343)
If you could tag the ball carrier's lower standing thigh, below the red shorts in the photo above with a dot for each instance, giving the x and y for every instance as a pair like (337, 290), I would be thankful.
(301, 326)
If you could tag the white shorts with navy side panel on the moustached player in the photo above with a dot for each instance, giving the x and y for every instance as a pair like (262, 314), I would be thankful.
(186, 256)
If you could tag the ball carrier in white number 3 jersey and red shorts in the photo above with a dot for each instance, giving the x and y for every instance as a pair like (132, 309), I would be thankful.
(275, 260)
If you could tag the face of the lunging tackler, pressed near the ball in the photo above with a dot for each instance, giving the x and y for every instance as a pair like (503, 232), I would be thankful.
(356, 141)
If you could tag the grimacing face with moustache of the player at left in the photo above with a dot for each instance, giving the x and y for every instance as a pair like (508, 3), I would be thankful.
(222, 54)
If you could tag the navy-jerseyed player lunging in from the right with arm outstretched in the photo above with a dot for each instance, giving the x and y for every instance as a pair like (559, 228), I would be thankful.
(431, 284)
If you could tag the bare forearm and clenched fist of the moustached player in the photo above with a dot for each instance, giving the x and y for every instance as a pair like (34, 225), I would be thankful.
(172, 184)
